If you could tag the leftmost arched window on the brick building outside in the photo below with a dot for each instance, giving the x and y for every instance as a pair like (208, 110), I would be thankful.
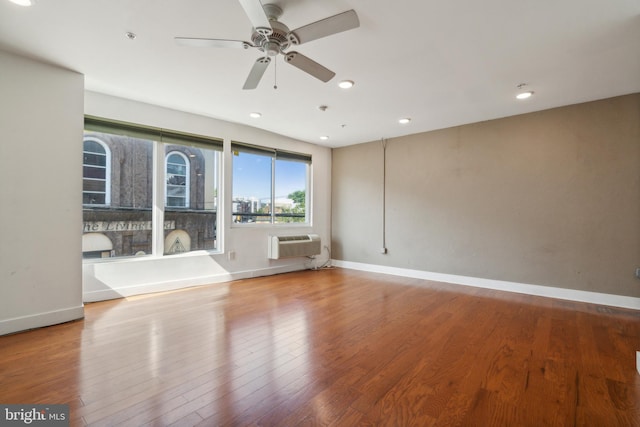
(96, 172)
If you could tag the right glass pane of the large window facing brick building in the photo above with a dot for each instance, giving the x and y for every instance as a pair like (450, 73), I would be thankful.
(191, 197)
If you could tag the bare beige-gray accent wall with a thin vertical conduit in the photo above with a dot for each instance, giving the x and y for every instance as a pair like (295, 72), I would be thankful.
(550, 198)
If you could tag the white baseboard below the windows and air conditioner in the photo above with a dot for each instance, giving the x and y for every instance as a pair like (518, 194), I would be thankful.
(147, 288)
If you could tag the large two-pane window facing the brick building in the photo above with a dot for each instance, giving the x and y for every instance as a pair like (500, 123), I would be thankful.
(125, 157)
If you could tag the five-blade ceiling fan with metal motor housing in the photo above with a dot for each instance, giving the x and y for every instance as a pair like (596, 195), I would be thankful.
(272, 37)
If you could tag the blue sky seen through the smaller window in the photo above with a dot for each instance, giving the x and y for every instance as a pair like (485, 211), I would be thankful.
(252, 176)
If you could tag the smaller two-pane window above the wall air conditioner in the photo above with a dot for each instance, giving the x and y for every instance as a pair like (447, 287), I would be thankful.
(269, 186)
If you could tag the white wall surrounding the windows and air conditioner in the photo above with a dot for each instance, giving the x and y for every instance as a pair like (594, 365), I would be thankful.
(123, 277)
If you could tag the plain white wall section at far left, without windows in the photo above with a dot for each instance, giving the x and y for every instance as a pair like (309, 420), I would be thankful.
(40, 194)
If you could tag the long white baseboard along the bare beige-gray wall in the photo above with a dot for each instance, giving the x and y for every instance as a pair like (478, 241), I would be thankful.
(522, 288)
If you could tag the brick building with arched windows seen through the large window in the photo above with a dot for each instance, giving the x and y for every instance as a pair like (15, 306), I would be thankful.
(118, 197)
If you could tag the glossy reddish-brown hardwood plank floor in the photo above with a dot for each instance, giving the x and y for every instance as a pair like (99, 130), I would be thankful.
(333, 347)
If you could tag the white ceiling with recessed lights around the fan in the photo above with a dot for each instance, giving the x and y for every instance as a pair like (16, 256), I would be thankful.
(442, 63)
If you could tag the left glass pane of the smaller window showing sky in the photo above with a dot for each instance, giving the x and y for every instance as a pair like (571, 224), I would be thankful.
(251, 200)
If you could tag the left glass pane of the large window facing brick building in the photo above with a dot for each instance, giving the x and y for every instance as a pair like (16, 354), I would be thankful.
(122, 226)
